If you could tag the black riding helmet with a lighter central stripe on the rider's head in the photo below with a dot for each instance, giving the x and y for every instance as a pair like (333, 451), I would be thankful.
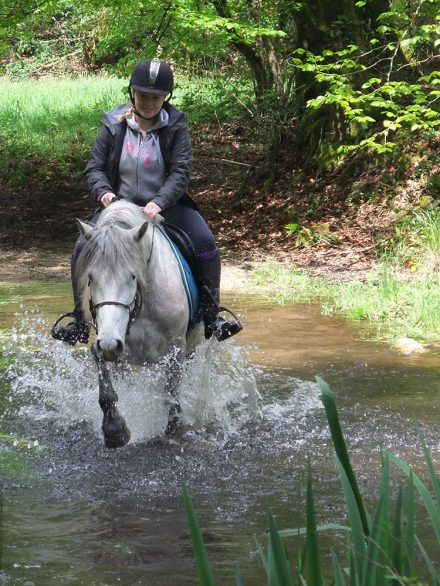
(152, 76)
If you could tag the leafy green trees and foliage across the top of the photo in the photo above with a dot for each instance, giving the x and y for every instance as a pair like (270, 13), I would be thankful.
(346, 80)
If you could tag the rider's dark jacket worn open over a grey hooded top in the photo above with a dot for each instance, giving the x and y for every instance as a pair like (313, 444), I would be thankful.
(102, 169)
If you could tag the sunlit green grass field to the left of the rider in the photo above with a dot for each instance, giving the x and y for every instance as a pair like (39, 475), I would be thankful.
(47, 126)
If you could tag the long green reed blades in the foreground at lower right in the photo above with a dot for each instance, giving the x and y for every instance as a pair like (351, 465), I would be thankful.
(381, 548)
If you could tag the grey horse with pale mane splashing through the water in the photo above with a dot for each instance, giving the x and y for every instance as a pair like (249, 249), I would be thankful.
(132, 290)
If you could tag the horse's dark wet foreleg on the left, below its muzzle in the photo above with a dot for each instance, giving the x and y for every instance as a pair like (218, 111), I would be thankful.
(114, 428)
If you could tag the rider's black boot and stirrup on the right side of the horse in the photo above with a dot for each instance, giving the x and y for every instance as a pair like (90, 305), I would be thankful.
(208, 266)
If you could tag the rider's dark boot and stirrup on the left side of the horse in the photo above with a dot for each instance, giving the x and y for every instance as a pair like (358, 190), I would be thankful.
(78, 329)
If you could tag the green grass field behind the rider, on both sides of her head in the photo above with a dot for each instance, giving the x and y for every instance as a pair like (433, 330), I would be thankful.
(47, 126)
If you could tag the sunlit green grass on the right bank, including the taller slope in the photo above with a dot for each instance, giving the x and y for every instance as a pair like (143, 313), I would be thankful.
(400, 298)
